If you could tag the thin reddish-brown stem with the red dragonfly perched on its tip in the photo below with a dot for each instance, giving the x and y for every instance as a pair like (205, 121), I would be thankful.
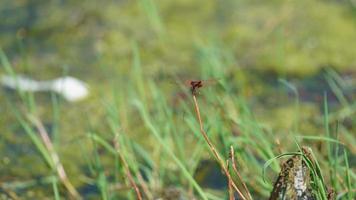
(213, 149)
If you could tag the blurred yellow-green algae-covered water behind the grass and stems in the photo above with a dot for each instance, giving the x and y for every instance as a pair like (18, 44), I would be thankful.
(259, 50)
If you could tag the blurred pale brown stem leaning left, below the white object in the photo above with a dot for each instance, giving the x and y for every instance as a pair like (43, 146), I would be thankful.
(54, 156)
